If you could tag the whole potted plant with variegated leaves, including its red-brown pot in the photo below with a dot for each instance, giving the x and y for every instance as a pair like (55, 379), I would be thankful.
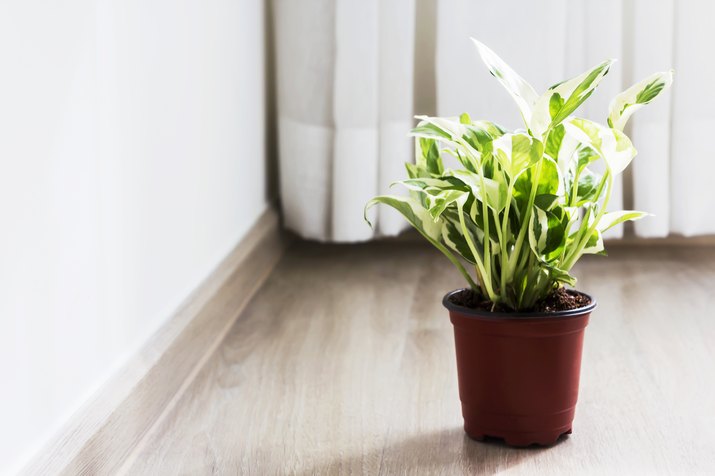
(521, 210)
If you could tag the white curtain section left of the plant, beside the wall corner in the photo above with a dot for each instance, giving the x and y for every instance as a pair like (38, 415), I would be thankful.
(345, 90)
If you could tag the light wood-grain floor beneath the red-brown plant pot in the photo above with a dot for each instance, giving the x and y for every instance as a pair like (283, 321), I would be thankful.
(343, 363)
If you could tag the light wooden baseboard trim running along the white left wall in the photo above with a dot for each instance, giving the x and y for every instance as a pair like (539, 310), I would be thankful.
(103, 436)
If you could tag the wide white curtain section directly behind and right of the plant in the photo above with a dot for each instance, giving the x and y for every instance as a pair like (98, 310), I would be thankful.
(549, 40)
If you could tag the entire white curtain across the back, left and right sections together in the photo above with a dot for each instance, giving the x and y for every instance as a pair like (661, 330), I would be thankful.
(345, 97)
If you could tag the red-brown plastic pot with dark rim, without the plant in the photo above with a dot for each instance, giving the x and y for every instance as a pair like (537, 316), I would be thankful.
(518, 372)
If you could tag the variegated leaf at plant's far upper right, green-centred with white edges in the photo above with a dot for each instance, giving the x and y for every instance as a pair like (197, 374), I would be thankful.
(637, 96)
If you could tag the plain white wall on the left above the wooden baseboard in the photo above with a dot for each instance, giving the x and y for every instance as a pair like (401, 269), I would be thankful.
(132, 152)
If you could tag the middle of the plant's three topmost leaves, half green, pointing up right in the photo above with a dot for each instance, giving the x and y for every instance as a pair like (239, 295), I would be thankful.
(564, 98)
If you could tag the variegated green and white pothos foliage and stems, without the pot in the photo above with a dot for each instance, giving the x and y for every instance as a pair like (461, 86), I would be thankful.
(525, 205)
